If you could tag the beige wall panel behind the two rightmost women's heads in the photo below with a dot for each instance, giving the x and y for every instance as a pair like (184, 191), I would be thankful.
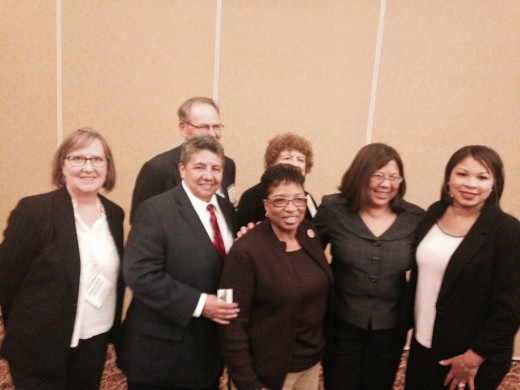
(450, 76)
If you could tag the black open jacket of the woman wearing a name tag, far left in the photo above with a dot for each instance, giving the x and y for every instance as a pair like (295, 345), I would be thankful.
(39, 280)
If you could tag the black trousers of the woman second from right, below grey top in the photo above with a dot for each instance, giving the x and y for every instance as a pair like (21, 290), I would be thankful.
(362, 359)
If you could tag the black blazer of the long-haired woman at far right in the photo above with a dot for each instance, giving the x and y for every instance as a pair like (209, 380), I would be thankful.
(478, 306)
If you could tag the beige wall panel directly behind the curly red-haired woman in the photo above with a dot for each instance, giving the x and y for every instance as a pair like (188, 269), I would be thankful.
(300, 66)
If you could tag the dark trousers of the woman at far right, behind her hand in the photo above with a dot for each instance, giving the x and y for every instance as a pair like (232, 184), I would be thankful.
(423, 371)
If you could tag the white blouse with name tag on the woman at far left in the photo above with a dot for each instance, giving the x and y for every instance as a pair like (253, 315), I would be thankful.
(98, 279)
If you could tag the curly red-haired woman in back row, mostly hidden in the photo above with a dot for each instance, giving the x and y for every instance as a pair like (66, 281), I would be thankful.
(285, 148)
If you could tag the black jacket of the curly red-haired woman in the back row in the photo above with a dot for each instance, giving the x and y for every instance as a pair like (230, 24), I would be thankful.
(251, 208)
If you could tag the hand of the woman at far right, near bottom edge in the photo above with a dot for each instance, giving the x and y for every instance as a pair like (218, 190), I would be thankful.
(463, 370)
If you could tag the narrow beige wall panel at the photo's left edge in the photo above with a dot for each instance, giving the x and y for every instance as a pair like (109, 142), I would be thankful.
(27, 99)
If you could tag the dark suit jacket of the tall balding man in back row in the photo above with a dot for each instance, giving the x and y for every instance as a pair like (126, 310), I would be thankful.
(161, 174)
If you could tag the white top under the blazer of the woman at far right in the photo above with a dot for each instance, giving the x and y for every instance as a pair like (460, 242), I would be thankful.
(433, 255)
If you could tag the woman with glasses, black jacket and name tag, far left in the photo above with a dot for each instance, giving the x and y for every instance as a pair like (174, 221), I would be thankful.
(60, 286)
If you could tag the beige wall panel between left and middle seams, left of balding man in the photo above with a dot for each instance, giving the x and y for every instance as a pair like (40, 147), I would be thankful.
(127, 66)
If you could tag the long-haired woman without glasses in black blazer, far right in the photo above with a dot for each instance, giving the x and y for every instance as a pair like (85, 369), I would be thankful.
(467, 278)
